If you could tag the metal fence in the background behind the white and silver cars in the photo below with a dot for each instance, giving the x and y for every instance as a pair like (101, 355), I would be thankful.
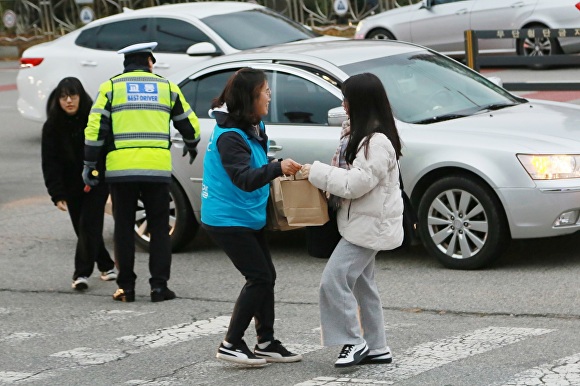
(49, 19)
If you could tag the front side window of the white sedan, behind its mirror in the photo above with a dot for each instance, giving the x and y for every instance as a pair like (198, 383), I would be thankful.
(176, 36)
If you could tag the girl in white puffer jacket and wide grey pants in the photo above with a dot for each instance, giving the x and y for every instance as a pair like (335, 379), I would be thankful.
(369, 220)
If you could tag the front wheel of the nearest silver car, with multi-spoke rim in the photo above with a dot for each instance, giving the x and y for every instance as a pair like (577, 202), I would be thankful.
(462, 223)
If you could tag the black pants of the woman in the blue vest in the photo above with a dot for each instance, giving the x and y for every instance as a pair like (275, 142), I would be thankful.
(249, 252)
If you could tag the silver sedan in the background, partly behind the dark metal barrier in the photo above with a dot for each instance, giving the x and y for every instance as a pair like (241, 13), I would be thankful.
(440, 24)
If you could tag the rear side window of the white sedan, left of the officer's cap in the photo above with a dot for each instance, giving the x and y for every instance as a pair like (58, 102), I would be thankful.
(114, 36)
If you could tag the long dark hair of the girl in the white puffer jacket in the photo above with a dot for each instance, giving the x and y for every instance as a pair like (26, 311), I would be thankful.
(370, 112)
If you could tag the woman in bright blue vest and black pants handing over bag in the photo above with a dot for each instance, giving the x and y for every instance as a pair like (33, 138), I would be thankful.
(236, 176)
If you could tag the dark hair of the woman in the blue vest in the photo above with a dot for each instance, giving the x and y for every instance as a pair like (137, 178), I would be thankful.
(240, 93)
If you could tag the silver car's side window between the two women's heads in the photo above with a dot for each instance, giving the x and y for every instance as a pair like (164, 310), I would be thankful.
(297, 100)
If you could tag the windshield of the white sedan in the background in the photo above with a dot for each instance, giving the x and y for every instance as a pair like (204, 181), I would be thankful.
(257, 28)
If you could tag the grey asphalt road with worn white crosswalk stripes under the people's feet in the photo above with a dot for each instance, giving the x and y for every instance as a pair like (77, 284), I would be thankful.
(515, 323)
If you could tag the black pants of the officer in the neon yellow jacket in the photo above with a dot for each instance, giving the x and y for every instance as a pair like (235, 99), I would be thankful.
(155, 198)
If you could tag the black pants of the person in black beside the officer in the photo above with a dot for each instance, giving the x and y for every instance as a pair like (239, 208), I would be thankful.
(86, 211)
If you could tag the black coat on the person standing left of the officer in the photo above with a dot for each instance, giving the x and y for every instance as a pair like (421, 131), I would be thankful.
(63, 143)
